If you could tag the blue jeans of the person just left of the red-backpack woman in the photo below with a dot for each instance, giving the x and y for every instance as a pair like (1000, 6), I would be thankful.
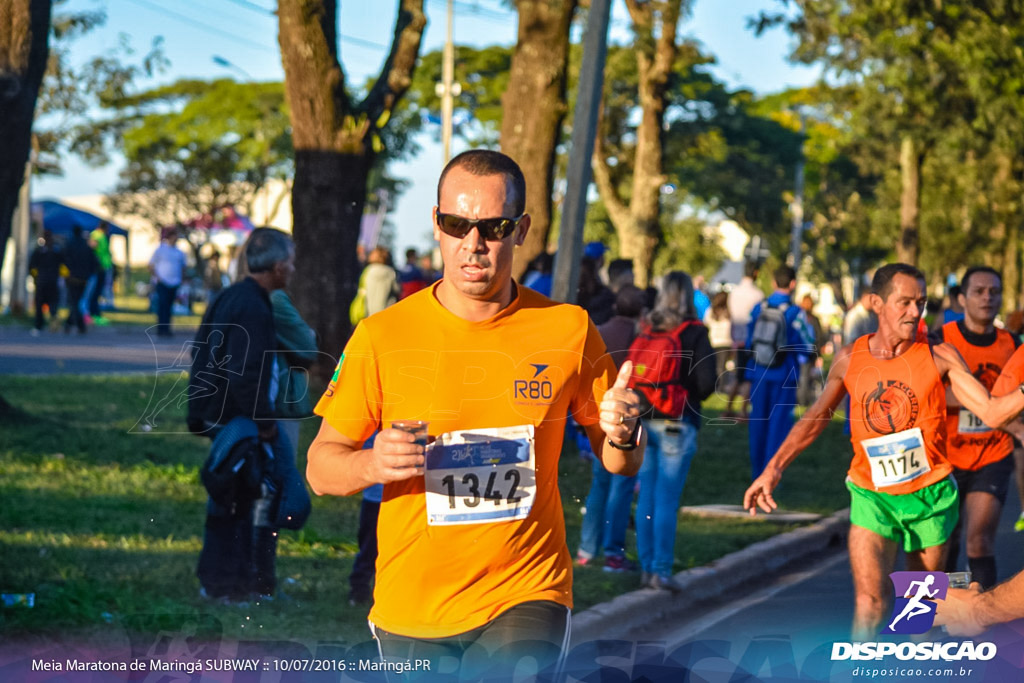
(608, 513)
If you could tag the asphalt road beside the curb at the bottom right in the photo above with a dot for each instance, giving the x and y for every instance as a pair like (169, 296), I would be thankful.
(785, 628)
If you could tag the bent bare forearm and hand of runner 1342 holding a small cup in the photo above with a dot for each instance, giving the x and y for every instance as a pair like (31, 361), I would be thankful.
(337, 466)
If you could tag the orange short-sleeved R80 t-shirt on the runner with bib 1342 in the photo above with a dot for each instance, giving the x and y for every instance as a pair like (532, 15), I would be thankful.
(530, 365)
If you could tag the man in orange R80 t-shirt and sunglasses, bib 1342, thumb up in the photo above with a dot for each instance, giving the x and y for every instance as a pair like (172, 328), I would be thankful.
(473, 565)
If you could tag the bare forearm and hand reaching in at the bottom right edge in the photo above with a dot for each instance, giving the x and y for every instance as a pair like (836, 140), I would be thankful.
(968, 612)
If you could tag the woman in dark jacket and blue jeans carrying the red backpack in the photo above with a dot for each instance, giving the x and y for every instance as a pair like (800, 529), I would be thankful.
(672, 440)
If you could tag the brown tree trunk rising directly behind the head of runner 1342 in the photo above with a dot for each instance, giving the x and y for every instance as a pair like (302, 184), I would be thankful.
(534, 108)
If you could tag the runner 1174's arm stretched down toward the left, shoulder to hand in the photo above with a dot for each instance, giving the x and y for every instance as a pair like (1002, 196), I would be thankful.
(802, 436)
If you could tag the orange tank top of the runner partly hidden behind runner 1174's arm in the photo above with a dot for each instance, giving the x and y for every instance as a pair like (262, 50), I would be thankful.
(971, 445)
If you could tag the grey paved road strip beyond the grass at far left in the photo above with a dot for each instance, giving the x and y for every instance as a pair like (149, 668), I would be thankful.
(115, 350)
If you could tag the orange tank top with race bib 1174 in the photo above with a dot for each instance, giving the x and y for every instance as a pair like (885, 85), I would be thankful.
(898, 420)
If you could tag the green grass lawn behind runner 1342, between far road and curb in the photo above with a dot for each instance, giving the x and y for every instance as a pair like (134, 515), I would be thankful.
(104, 522)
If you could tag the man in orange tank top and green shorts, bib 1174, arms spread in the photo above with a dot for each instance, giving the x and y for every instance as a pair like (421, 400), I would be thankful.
(902, 492)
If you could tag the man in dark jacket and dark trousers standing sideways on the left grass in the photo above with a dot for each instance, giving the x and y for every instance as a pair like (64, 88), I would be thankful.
(234, 375)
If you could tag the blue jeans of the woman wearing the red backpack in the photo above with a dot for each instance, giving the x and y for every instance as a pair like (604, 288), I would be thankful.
(671, 445)
